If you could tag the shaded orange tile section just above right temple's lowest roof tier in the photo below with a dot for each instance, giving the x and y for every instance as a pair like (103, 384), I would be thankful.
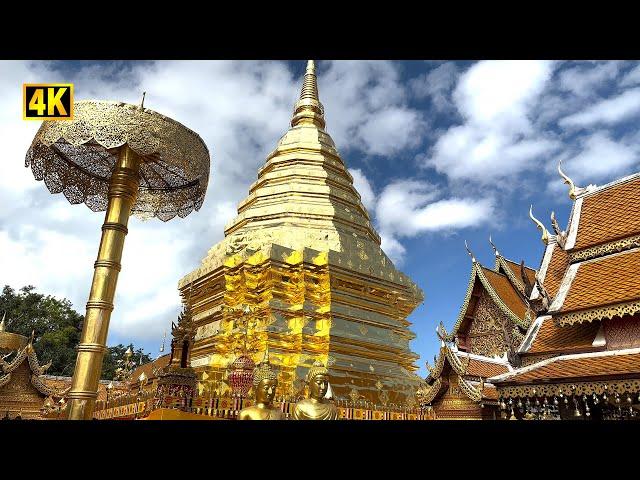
(567, 339)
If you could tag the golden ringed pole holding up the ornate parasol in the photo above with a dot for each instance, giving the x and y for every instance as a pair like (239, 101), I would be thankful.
(123, 190)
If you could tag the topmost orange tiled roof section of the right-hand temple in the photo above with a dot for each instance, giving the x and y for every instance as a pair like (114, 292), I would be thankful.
(610, 214)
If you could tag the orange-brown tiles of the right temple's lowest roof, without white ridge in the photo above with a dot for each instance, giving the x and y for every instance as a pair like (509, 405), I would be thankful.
(597, 366)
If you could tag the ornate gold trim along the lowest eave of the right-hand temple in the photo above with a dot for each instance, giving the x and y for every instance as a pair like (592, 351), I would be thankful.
(579, 388)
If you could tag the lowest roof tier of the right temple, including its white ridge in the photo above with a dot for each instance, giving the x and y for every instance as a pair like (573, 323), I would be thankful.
(577, 367)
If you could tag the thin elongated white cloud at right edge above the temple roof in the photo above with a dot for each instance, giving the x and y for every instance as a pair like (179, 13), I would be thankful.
(606, 112)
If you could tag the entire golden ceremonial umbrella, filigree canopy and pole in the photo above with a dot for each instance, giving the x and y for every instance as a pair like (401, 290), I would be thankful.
(123, 159)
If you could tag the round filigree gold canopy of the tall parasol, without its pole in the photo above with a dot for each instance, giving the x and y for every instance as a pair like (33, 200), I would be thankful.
(78, 157)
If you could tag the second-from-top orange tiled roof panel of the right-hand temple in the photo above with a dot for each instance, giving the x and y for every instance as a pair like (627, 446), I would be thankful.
(605, 281)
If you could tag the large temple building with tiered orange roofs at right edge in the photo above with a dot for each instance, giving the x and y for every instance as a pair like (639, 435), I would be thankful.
(581, 356)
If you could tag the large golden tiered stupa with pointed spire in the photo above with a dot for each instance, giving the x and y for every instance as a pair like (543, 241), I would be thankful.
(303, 256)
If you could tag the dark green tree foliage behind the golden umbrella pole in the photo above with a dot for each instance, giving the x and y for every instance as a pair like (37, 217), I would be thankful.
(56, 329)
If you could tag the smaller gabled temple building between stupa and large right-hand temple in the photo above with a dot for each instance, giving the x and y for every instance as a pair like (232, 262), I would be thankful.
(491, 325)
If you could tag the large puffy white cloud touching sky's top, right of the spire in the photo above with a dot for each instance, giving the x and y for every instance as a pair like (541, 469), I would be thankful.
(497, 139)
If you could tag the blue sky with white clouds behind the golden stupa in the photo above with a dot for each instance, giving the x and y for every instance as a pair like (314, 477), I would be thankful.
(440, 151)
